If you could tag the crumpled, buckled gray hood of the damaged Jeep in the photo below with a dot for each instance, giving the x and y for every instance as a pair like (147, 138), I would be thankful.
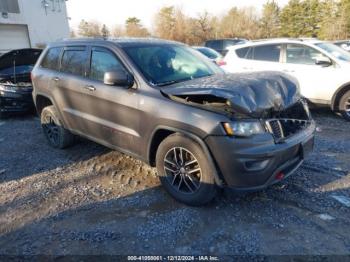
(247, 93)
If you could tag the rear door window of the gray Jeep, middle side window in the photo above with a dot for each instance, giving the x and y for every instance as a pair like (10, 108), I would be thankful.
(73, 62)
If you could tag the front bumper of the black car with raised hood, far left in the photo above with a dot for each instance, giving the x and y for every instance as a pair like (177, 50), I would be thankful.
(13, 102)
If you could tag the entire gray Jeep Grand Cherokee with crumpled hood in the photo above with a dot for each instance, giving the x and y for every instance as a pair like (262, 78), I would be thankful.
(166, 104)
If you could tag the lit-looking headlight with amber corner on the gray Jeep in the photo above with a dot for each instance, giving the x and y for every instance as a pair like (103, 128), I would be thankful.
(243, 128)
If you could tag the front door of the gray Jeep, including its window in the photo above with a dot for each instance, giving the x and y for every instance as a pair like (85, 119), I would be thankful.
(112, 112)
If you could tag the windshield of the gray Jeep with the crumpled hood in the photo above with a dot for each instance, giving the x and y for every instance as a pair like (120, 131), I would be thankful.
(167, 64)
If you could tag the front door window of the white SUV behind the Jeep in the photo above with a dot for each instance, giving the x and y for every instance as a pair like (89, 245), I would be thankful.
(301, 54)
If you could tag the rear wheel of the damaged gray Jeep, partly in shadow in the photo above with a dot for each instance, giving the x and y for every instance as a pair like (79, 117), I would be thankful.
(55, 133)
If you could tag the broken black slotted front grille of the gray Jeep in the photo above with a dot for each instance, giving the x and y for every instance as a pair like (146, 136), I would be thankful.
(284, 127)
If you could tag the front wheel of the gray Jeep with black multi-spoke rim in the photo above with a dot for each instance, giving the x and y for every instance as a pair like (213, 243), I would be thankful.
(184, 170)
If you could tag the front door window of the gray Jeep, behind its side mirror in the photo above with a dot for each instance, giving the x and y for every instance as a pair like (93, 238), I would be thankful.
(102, 62)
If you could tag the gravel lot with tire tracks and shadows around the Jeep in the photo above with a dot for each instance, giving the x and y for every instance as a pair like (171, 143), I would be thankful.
(91, 200)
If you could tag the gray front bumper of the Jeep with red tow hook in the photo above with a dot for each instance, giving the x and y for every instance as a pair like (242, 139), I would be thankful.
(254, 163)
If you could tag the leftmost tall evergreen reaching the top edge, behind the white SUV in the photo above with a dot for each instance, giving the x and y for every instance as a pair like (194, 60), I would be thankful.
(270, 20)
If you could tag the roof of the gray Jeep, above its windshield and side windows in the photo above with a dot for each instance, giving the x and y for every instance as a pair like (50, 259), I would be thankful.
(122, 41)
